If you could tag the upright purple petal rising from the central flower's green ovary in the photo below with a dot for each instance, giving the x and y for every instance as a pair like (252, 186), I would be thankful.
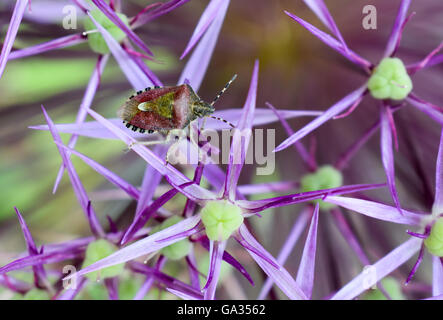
(242, 134)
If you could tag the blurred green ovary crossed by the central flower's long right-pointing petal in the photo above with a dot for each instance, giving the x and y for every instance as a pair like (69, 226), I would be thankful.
(326, 177)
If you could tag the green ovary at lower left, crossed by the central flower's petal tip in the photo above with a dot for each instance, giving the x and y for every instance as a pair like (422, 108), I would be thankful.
(96, 251)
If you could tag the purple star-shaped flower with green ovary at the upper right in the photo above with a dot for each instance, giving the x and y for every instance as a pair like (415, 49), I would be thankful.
(389, 75)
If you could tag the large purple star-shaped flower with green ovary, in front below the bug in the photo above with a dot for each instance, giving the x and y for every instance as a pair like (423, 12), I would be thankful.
(225, 216)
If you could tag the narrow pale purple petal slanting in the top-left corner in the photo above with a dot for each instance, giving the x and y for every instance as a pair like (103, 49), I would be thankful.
(16, 18)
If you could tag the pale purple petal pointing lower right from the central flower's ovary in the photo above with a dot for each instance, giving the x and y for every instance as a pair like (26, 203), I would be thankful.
(280, 276)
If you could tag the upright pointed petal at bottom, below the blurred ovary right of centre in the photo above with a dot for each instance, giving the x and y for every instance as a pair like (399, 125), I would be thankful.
(306, 270)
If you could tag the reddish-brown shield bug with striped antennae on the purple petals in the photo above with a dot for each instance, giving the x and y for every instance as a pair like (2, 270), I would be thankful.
(167, 110)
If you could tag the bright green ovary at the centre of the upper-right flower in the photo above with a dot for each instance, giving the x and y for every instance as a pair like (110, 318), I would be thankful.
(390, 80)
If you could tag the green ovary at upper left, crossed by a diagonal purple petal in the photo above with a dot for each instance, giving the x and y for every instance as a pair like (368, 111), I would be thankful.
(96, 40)
